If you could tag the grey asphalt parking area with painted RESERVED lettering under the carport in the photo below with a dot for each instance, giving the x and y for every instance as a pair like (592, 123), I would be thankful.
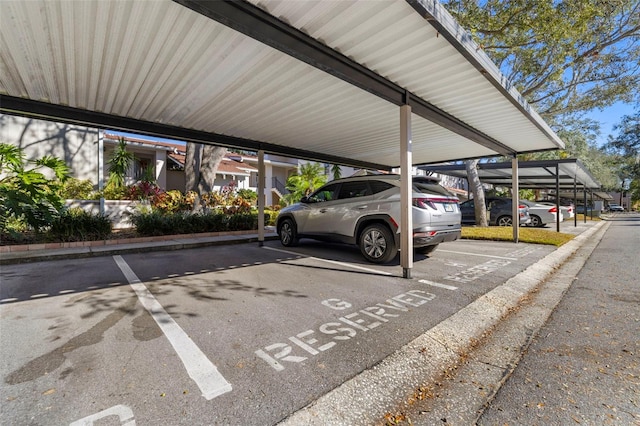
(237, 334)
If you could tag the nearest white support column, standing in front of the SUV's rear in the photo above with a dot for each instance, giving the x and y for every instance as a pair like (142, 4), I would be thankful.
(406, 218)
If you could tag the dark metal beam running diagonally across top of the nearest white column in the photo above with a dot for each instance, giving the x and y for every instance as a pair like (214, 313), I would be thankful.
(254, 22)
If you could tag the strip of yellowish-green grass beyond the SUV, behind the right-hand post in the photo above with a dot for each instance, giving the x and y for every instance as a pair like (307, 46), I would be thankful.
(527, 235)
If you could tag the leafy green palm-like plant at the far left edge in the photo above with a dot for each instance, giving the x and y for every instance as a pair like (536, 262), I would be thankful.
(26, 193)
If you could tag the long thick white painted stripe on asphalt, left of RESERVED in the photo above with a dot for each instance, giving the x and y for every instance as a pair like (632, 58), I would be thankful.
(200, 369)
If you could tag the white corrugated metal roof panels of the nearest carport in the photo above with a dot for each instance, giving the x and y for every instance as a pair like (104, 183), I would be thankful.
(164, 63)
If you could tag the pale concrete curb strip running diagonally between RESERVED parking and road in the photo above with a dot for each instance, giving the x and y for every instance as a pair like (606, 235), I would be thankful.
(364, 399)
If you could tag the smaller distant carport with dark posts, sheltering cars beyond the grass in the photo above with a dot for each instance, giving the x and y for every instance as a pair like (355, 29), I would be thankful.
(559, 175)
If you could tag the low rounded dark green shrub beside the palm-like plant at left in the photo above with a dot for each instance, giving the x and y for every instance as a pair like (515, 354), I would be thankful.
(79, 225)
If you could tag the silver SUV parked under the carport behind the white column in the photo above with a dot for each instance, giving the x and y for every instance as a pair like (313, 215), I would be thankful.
(365, 211)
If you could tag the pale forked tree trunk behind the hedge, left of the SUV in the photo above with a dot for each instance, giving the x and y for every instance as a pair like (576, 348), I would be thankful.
(201, 165)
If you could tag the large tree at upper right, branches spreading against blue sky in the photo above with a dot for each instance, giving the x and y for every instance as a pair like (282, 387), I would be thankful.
(565, 58)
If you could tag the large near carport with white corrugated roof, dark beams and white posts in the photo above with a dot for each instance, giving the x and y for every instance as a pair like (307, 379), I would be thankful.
(375, 85)
